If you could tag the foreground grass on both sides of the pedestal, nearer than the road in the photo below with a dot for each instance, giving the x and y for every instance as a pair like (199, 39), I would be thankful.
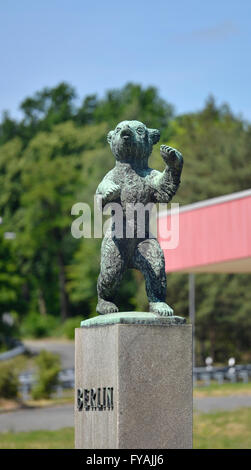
(221, 430)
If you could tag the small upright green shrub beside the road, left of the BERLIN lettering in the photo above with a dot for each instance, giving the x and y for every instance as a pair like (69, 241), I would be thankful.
(48, 365)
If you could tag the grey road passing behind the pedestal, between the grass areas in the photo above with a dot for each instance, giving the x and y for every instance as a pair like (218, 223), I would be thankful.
(57, 417)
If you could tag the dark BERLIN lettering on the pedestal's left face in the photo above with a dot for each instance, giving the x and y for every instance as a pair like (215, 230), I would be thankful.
(99, 398)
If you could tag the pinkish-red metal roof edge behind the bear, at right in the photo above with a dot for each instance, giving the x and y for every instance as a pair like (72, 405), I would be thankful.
(214, 235)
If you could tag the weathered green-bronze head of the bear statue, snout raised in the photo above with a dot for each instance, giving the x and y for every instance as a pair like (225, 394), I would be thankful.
(132, 142)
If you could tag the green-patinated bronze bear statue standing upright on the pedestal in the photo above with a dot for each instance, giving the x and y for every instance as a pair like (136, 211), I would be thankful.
(131, 181)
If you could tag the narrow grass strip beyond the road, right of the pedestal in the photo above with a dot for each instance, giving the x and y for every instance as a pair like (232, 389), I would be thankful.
(225, 389)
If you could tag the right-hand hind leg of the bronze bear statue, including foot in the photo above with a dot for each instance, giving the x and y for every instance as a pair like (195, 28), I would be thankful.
(149, 259)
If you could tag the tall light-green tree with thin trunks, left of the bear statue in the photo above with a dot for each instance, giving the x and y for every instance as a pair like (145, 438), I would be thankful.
(50, 179)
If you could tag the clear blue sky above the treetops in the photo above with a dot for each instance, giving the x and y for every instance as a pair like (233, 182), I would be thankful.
(188, 49)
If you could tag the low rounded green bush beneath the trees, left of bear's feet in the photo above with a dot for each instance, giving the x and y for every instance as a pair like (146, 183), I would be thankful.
(35, 325)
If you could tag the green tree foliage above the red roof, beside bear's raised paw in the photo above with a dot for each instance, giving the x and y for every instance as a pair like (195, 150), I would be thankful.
(216, 150)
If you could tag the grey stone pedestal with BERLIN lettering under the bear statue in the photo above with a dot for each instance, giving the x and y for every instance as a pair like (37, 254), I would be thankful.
(133, 383)
